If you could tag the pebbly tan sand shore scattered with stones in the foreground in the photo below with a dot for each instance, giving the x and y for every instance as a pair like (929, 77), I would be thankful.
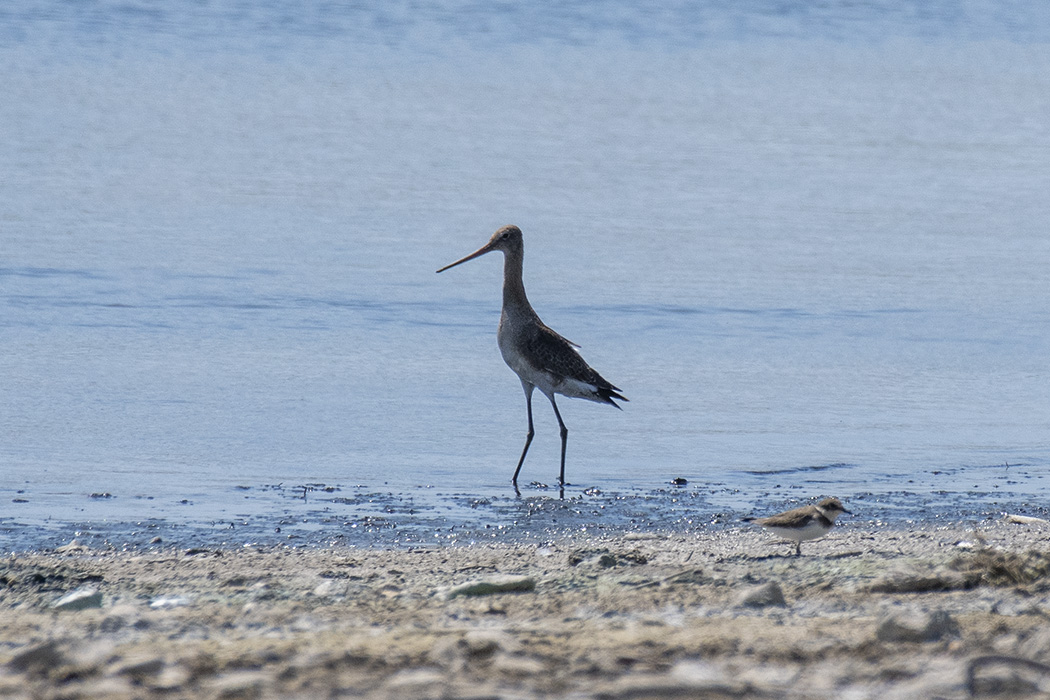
(927, 612)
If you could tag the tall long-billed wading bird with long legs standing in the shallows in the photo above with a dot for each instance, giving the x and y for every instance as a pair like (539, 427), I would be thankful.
(541, 358)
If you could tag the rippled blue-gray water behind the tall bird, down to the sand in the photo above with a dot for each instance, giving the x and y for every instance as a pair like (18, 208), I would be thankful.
(810, 243)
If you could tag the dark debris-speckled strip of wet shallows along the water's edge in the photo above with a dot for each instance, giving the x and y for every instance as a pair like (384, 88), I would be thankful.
(326, 516)
